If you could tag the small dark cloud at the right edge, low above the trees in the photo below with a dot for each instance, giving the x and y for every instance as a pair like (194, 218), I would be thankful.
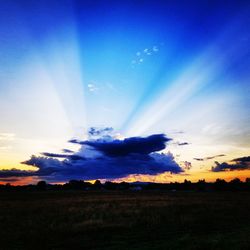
(242, 163)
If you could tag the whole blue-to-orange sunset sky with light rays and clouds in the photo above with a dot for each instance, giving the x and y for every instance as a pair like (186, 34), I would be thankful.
(84, 84)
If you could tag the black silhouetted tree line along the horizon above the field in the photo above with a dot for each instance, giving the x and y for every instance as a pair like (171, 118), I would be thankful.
(219, 185)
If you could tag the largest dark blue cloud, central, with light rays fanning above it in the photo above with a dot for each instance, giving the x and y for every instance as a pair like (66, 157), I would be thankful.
(103, 159)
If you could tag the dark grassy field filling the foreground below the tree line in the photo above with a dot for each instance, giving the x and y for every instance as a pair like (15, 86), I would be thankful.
(124, 220)
